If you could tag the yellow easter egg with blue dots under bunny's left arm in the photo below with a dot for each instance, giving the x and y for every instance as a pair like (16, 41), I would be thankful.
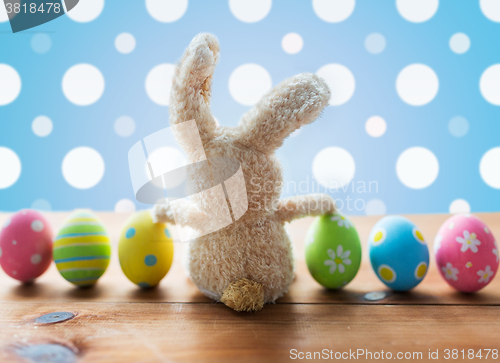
(145, 250)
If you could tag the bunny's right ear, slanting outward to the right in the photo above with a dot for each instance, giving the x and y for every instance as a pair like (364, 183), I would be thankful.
(294, 102)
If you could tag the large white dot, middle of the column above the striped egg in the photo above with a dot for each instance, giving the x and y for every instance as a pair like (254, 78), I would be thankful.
(83, 84)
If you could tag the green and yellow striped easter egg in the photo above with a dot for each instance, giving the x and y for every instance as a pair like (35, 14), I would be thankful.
(82, 249)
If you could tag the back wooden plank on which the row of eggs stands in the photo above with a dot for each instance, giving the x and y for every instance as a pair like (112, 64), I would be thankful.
(114, 286)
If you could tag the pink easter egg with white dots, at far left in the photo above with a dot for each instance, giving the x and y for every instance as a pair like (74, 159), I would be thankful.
(25, 245)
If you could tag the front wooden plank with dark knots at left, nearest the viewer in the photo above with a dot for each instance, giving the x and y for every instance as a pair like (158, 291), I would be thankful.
(150, 332)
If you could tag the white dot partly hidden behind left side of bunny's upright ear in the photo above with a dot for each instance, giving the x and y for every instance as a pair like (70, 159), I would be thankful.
(159, 83)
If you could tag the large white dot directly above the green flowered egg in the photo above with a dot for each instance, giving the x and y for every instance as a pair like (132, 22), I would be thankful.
(333, 167)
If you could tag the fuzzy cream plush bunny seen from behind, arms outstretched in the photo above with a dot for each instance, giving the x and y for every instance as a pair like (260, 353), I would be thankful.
(249, 262)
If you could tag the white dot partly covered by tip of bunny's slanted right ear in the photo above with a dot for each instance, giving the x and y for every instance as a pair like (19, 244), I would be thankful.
(341, 82)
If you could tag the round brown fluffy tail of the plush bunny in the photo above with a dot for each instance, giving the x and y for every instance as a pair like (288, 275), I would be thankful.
(244, 295)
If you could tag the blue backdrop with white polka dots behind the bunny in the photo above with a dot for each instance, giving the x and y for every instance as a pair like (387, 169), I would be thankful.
(415, 82)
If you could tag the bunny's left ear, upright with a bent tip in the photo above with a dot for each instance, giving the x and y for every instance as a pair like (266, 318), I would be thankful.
(191, 85)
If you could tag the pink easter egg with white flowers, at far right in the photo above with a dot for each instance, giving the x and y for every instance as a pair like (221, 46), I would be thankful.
(466, 253)
